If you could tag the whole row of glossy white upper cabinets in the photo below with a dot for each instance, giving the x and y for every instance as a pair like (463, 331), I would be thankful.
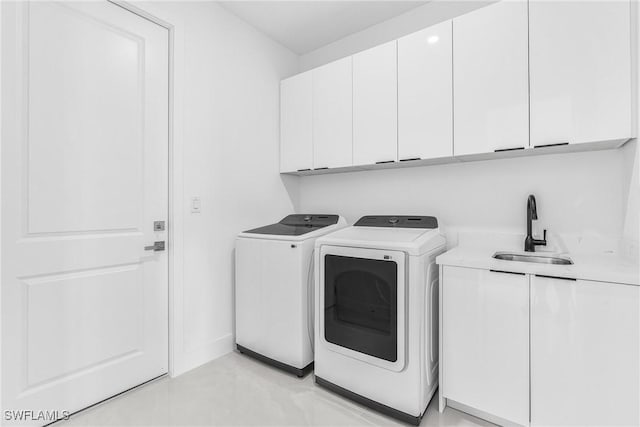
(512, 75)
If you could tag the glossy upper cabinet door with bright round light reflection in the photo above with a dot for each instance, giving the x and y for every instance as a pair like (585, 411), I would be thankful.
(425, 115)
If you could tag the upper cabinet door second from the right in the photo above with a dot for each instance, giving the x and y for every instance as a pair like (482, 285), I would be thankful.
(490, 79)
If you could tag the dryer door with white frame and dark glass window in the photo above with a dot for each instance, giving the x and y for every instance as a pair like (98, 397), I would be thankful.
(362, 304)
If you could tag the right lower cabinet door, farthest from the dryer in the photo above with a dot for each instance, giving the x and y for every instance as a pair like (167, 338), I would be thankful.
(584, 353)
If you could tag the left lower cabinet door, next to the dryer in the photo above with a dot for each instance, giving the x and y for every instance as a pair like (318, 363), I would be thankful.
(485, 328)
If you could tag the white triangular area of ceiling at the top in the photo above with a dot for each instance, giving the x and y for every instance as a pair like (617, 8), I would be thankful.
(304, 26)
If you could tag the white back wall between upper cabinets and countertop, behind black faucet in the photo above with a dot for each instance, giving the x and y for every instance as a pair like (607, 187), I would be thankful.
(581, 196)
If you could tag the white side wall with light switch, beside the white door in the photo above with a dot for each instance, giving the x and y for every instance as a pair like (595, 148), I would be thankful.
(225, 150)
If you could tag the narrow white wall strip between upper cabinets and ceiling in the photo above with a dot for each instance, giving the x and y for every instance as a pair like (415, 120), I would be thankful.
(421, 17)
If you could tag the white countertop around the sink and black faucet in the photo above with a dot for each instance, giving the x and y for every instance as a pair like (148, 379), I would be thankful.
(598, 267)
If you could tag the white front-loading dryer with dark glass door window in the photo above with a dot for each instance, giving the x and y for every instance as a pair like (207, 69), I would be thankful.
(376, 313)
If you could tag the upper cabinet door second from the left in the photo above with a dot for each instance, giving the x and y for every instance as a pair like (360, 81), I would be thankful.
(332, 115)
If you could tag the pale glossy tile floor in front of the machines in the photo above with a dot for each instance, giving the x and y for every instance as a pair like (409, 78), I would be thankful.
(236, 390)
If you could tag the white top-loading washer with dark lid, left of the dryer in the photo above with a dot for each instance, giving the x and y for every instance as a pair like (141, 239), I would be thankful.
(274, 282)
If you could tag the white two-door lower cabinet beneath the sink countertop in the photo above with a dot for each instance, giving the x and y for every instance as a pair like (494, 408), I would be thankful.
(539, 350)
